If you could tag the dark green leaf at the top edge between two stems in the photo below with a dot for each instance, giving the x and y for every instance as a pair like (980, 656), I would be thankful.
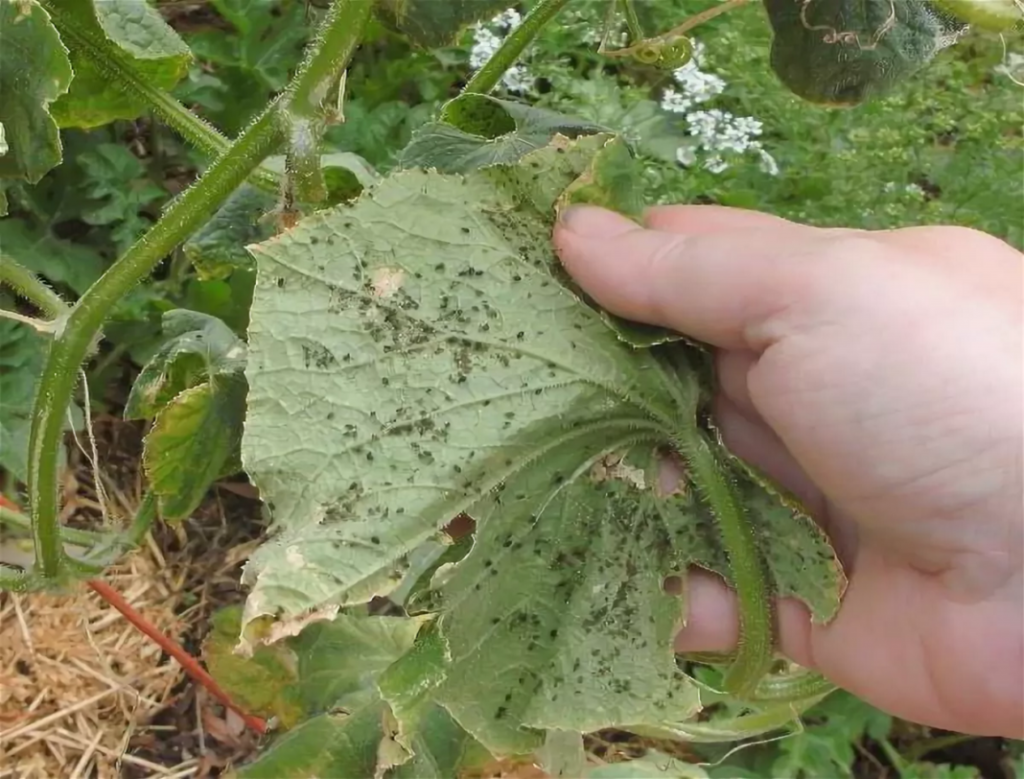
(432, 24)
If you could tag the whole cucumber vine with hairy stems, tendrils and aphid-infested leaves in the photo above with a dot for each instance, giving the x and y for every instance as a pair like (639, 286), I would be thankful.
(437, 304)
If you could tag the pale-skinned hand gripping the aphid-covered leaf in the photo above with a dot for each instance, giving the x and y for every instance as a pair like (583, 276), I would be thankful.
(880, 377)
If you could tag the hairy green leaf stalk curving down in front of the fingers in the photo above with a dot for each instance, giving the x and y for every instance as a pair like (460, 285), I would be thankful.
(754, 656)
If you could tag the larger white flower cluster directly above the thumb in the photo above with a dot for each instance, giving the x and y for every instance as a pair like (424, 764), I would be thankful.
(715, 134)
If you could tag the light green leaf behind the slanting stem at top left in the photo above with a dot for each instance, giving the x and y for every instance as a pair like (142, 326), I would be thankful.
(133, 36)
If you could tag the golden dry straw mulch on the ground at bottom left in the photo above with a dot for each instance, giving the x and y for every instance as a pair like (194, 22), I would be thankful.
(78, 681)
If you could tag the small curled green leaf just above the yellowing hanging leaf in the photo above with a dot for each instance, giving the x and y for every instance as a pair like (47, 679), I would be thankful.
(199, 349)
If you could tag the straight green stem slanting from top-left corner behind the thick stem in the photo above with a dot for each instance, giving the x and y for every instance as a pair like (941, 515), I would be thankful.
(116, 67)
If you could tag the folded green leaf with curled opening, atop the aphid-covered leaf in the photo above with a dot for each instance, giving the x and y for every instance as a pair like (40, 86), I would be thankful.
(477, 131)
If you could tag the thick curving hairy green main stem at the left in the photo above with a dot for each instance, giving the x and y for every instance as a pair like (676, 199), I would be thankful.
(342, 30)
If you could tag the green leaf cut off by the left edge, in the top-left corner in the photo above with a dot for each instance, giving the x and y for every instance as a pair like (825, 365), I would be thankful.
(34, 72)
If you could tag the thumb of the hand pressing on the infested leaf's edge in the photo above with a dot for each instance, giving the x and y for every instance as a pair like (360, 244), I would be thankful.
(721, 283)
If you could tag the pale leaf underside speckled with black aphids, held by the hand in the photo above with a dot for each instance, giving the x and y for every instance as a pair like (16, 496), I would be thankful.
(420, 354)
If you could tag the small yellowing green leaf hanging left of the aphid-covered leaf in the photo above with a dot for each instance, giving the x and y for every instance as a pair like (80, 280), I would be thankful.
(192, 443)
